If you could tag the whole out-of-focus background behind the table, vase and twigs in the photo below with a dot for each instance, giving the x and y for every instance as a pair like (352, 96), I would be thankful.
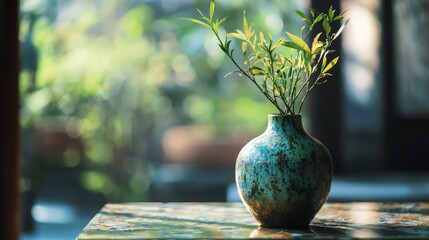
(122, 101)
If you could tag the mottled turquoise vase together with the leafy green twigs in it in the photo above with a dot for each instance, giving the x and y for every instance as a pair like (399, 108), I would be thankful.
(284, 175)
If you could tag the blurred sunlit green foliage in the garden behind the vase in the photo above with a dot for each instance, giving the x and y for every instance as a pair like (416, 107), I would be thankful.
(126, 71)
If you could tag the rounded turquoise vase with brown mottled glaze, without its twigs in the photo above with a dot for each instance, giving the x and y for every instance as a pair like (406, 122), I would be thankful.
(284, 175)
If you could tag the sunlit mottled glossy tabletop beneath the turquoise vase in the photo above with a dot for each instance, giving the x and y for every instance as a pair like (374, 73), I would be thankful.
(231, 220)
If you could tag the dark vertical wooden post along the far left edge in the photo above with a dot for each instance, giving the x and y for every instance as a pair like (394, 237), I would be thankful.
(9, 120)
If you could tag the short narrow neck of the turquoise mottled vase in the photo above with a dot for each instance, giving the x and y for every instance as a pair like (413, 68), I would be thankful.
(284, 123)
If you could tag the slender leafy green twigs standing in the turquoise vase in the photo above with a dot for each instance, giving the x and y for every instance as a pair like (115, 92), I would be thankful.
(285, 71)
